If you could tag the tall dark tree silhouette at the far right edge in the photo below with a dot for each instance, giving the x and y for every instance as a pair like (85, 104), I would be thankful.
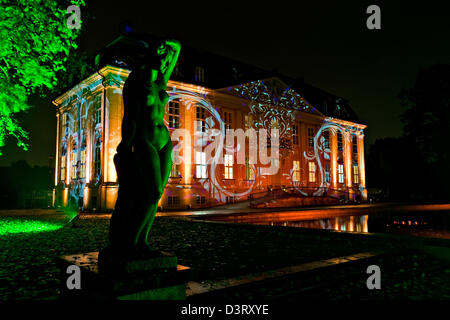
(427, 123)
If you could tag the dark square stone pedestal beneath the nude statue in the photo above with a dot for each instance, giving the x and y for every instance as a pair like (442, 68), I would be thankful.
(158, 277)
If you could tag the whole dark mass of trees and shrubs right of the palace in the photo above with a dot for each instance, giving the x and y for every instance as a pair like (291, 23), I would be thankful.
(416, 166)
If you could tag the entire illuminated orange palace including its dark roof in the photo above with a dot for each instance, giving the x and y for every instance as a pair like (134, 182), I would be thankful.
(320, 155)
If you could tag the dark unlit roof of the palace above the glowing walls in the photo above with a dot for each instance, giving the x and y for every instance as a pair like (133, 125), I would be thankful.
(220, 72)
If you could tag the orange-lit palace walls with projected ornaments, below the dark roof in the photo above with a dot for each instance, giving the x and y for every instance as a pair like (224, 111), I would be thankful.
(94, 108)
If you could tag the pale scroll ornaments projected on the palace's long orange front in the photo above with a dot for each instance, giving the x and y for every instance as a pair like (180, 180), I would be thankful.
(261, 116)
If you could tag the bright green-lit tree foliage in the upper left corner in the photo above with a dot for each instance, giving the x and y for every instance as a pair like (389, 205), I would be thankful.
(35, 43)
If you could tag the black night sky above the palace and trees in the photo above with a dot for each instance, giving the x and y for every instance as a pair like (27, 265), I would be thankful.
(326, 43)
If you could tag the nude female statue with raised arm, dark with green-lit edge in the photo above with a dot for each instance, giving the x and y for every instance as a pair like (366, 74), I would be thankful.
(143, 159)
